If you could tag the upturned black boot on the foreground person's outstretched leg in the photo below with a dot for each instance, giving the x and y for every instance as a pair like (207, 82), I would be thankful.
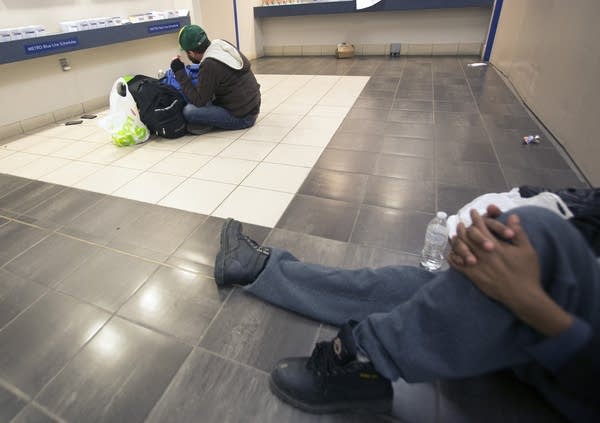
(240, 259)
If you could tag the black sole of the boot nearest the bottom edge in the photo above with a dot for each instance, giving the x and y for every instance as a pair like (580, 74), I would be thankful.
(383, 406)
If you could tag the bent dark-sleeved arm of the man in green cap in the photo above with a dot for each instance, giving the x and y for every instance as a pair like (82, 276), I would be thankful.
(199, 94)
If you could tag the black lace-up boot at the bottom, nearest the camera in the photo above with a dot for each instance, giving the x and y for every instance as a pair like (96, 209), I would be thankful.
(332, 380)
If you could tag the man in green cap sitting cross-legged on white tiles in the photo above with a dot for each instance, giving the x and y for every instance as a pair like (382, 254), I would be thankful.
(227, 95)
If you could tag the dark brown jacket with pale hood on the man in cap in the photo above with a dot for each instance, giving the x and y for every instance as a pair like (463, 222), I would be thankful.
(226, 80)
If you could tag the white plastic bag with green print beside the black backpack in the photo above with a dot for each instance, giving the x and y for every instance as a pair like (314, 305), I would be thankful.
(123, 120)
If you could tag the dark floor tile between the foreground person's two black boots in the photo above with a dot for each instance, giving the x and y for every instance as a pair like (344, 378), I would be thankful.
(252, 332)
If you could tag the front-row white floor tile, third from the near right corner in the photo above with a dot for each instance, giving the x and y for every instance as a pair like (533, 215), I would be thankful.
(149, 187)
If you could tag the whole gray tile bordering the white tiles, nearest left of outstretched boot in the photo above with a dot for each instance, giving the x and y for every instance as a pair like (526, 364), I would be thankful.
(157, 233)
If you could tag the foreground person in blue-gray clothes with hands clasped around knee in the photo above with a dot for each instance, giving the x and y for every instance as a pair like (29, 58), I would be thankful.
(523, 292)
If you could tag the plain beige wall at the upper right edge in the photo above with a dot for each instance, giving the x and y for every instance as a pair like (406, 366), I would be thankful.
(549, 50)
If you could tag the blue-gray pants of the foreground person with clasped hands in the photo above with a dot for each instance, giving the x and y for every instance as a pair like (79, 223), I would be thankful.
(422, 326)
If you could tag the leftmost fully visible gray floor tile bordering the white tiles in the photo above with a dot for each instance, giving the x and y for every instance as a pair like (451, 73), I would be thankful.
(61, 209)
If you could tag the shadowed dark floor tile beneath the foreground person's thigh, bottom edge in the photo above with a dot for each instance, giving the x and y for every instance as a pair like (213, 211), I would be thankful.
(498, 397)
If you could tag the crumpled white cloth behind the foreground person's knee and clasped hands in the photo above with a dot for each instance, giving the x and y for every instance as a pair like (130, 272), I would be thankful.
(506, 201)
